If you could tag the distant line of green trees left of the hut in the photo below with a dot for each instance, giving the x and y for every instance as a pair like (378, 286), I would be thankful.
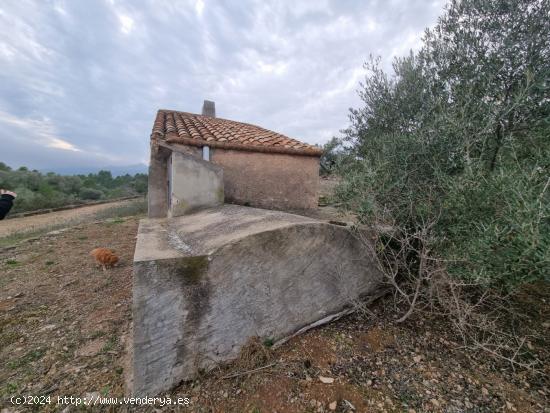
(36, 190)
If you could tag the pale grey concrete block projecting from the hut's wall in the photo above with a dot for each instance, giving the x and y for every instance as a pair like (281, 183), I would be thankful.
(194, 184)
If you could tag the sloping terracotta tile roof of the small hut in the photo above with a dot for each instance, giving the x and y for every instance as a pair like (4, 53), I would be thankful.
(198, 130)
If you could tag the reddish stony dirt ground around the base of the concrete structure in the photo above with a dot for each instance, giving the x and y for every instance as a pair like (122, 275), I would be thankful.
(64, 327)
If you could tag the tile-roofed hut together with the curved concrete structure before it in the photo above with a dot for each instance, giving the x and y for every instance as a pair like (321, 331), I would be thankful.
(209, 277)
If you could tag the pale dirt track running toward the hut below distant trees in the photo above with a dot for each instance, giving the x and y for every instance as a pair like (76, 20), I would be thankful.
(37, 222)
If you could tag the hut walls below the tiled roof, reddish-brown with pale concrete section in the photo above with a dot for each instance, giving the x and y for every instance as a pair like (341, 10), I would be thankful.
(180, 181)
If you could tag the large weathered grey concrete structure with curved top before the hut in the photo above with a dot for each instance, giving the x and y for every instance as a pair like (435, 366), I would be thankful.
(205, 283)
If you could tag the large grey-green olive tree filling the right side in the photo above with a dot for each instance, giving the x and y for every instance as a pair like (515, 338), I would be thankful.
(455, 142)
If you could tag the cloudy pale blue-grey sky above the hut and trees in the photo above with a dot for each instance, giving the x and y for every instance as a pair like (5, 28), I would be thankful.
(81, 80)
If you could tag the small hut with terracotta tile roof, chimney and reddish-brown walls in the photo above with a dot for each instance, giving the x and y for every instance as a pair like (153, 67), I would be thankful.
(201, 161)
